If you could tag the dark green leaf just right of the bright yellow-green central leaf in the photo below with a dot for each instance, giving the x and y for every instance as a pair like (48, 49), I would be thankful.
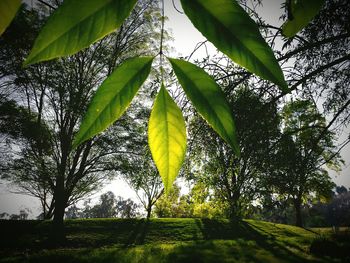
(208, 99)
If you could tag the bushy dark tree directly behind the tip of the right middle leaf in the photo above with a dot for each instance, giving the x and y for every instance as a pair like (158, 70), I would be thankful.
(234, 179)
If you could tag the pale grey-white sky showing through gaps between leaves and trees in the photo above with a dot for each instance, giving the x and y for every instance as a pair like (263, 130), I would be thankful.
(186, 38)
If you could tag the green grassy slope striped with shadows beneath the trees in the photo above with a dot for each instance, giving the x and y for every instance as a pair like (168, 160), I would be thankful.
(161, 240)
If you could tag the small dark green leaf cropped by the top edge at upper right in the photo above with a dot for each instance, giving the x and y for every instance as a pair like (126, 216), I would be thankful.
(301, 12)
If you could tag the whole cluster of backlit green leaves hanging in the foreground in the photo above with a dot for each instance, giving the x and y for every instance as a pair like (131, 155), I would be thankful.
(76, 25)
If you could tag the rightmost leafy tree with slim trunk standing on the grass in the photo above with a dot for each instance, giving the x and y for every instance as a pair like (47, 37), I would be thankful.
(298, 169)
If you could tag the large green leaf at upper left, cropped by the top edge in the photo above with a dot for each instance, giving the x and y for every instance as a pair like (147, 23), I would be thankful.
(76, 24)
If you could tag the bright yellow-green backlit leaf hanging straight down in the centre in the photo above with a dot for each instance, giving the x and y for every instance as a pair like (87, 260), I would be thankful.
(167, 137)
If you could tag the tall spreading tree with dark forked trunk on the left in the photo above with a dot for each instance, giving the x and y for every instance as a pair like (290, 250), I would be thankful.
(58, 93)
